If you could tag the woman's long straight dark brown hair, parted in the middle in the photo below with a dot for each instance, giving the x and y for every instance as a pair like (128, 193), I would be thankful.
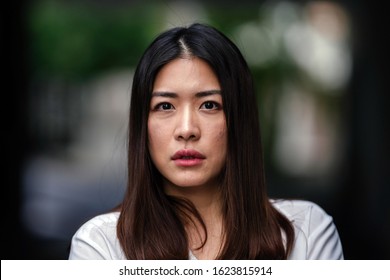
(151, 223)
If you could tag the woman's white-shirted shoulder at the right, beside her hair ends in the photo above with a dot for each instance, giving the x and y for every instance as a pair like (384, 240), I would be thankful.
(316, 236)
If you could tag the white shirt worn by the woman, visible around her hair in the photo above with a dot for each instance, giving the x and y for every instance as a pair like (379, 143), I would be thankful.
(316, 236)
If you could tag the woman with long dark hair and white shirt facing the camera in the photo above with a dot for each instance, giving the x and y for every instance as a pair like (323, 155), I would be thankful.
(196, 187)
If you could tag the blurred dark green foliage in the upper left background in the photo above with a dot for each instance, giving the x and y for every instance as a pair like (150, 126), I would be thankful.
(71, 40)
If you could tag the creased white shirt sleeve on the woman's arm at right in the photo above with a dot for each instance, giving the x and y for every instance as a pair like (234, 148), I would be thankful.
(323, 239)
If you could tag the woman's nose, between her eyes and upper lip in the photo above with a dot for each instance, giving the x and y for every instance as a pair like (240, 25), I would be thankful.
(187, 126)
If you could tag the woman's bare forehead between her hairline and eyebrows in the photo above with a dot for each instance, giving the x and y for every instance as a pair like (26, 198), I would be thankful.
(186, 74)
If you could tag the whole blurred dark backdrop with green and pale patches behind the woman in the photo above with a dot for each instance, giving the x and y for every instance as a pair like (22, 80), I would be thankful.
(322, 92)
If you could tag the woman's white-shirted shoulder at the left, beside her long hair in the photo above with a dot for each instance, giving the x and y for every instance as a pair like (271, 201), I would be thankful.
(97, 239)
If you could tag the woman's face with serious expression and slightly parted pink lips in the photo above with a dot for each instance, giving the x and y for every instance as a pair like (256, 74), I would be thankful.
(187, 125)
